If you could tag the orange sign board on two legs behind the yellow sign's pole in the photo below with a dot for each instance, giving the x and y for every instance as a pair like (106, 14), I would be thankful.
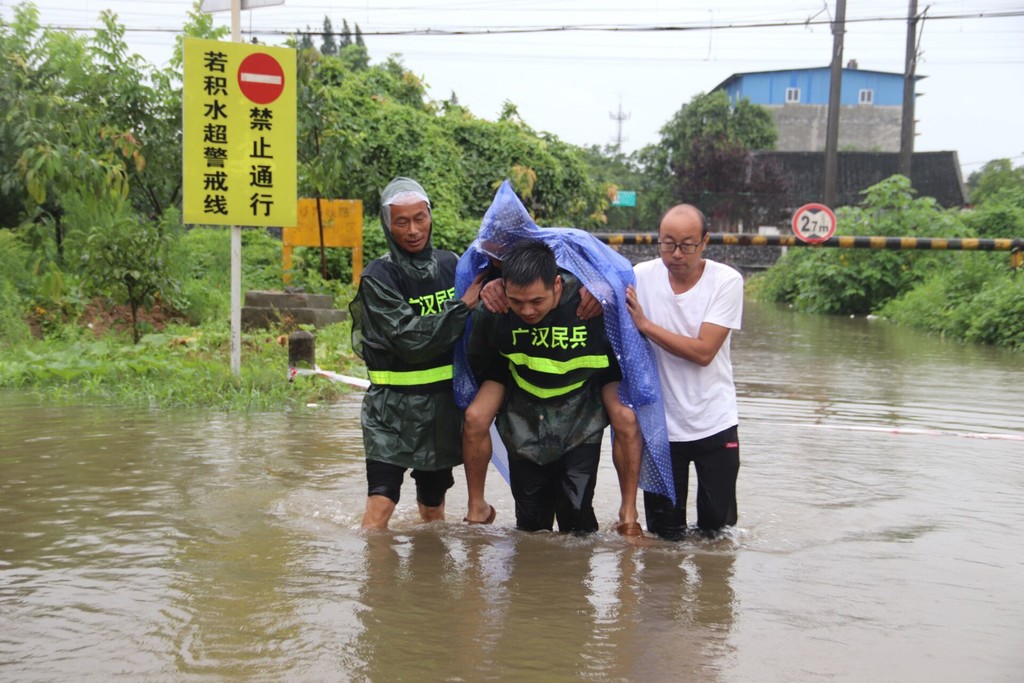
(343, 227)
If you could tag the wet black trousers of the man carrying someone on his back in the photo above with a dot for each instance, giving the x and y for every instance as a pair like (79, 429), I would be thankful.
(563, 490)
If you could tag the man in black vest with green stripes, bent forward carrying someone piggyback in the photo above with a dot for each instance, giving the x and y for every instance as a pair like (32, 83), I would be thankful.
(553, 366)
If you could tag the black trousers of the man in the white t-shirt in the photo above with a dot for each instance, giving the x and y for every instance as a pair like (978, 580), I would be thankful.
(716, 460)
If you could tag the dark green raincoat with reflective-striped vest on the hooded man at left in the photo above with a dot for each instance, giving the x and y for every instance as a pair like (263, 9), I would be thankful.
(406, 322)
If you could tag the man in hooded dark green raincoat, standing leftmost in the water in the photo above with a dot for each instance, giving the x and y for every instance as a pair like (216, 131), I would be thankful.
(406, 322)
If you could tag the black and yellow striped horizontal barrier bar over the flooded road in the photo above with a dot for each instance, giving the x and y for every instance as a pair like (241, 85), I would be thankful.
(1014, 246)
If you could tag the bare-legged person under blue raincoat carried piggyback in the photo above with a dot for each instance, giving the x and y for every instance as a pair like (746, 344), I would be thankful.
(634, 406)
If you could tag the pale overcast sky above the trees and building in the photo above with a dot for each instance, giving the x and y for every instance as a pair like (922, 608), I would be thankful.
(593, 72)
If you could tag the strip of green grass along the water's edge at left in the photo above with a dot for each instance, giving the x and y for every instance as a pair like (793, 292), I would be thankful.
(182, 367)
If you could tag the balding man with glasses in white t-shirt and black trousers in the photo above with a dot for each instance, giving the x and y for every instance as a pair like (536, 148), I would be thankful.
(688, 306)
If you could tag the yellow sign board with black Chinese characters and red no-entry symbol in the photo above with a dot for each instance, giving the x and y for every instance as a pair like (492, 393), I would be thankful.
(239, 135)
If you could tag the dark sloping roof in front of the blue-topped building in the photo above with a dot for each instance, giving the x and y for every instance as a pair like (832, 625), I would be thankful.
(935, 175)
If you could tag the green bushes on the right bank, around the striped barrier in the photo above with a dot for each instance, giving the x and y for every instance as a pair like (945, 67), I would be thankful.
(968, 296)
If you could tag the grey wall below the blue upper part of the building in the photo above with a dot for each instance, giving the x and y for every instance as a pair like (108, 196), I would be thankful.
(862, 129)
